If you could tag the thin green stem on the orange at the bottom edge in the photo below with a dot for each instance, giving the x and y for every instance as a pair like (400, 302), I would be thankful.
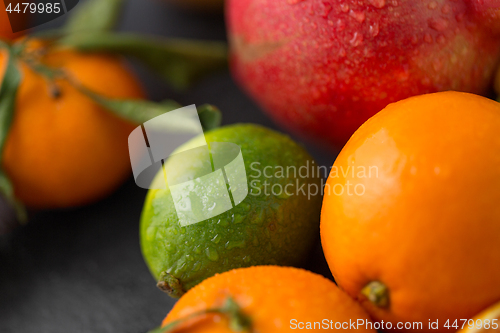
(238, 321)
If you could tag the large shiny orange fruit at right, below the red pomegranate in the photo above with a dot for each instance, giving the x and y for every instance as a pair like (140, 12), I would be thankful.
(417, 236)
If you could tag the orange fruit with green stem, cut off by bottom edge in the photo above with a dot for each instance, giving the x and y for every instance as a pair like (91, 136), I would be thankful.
(272, 298)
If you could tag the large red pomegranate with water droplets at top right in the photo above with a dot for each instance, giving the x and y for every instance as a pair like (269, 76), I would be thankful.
(323, 67)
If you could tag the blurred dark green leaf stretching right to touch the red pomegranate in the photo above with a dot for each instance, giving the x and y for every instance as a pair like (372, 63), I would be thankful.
(180, 62)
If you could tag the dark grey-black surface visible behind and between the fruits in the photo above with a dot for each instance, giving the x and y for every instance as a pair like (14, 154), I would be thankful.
(81, 270)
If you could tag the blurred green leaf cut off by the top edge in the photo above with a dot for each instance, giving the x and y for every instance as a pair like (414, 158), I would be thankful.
(94, 16)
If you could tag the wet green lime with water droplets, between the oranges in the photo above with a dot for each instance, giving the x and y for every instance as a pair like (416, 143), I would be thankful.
(274, 224)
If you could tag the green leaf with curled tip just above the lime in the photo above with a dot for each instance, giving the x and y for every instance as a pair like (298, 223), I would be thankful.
(140, 111)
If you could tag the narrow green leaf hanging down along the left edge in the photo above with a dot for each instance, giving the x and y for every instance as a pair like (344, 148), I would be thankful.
(8, 92)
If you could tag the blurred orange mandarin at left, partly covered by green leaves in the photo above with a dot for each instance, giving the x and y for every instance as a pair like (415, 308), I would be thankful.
(66, 150)
